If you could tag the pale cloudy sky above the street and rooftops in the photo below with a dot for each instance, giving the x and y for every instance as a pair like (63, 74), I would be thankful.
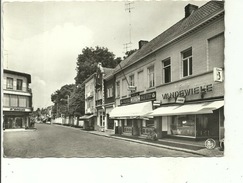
(44, 38)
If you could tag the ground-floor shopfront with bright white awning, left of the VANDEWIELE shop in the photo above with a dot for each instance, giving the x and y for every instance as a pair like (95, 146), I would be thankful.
(132, 117)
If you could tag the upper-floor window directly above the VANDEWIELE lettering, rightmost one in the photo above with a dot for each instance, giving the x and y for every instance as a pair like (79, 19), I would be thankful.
(187, 63)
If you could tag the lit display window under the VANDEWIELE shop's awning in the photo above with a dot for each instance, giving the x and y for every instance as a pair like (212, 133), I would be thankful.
(183, 125)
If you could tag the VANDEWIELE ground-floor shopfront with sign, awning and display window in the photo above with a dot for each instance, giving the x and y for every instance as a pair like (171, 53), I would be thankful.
(194, 110)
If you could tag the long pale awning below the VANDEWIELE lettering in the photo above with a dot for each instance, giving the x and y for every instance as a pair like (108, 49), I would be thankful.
(200, 108)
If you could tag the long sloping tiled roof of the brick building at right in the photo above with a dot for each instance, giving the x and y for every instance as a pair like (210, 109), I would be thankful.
(203, 13)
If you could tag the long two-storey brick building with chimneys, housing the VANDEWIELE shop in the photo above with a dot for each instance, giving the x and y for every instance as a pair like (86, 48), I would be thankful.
(176, 79)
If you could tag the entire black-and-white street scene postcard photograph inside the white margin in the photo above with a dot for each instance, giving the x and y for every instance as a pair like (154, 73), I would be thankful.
(125, 79)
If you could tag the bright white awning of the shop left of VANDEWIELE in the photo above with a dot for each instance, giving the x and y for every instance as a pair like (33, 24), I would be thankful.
(139, 110)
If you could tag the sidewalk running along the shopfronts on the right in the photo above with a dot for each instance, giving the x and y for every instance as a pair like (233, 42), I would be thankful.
(179, 145)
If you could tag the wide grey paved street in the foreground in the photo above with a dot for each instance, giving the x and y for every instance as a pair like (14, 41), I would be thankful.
(61, 141)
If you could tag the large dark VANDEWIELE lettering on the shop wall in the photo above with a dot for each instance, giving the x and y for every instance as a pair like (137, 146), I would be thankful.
(187, 92)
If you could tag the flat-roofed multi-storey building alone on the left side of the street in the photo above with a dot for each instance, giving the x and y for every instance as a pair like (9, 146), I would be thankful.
(17, 99)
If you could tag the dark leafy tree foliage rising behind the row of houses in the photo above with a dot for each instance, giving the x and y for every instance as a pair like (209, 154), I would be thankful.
(86, 65)
